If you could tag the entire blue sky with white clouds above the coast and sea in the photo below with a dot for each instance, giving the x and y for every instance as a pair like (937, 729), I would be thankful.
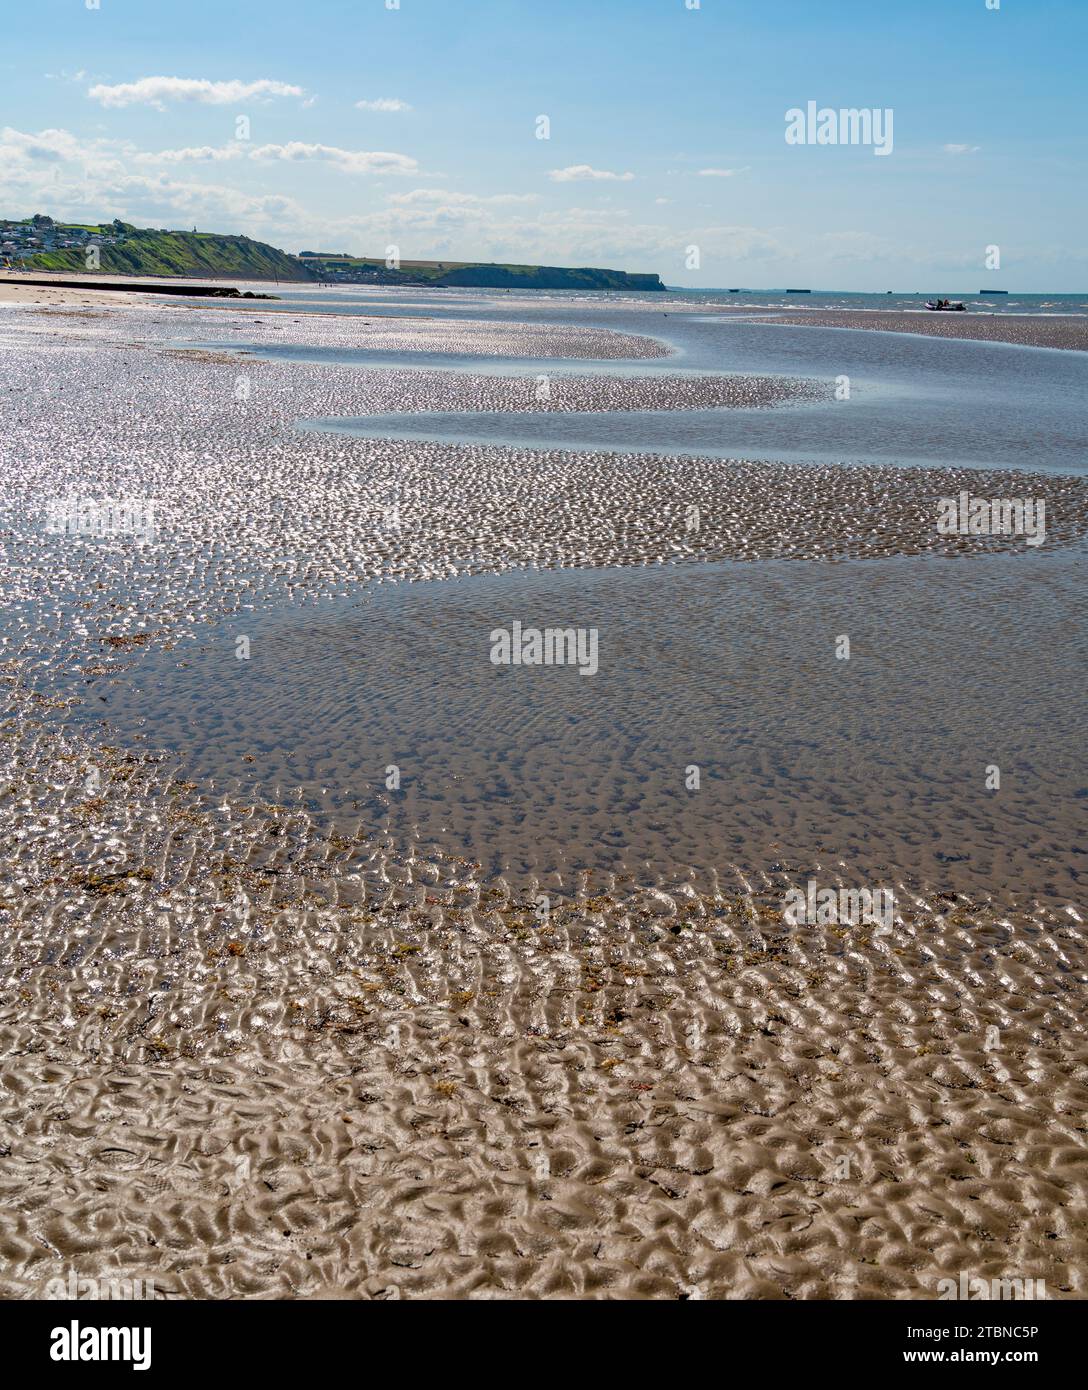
(356, 126)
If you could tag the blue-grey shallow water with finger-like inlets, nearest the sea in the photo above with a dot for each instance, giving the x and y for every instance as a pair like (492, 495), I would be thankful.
(911, 400)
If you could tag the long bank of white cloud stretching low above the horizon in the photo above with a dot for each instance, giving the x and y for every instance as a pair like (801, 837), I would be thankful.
(279, 194)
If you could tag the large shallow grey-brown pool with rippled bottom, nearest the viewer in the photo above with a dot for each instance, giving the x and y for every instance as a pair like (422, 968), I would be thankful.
(877, 761)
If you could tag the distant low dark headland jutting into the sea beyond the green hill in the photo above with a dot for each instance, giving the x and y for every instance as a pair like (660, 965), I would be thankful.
(369, 270)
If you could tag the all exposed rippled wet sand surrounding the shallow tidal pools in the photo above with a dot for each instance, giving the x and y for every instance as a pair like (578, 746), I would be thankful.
(252, 1056)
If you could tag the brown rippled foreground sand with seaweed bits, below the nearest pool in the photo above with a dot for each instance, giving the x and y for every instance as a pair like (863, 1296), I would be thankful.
(281, 1093)
